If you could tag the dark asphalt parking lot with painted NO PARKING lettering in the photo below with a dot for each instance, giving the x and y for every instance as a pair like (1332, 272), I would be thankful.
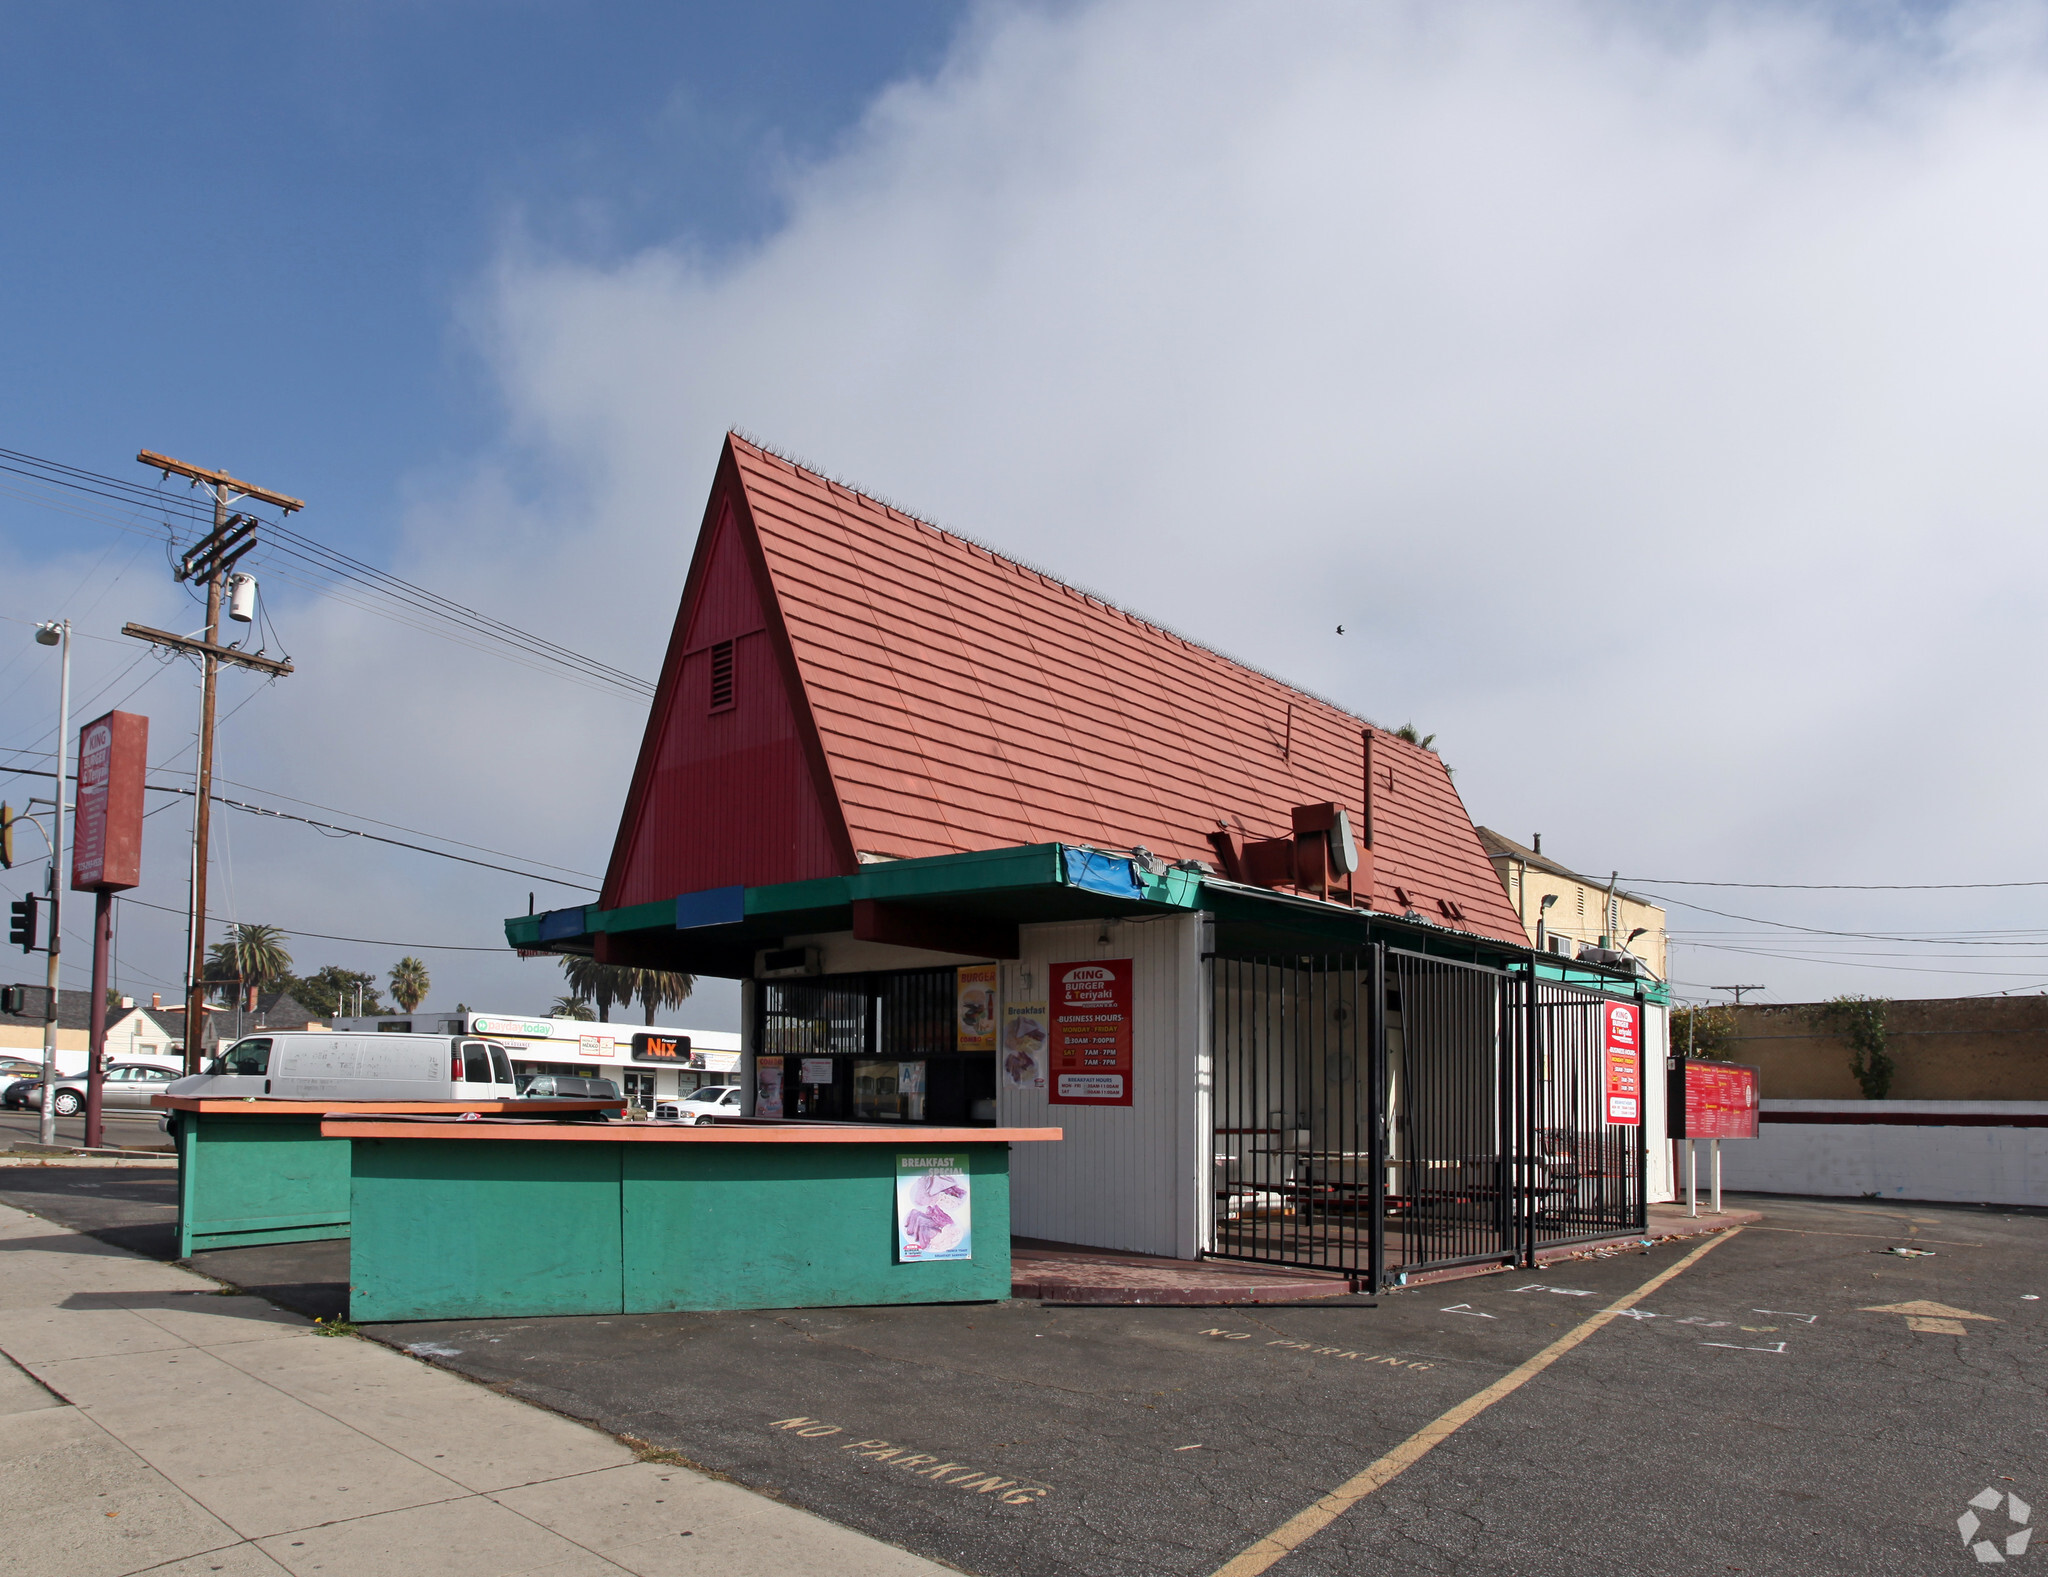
(1760, 1412)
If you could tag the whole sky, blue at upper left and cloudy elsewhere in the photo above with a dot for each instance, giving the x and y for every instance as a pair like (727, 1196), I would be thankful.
(1650, 392)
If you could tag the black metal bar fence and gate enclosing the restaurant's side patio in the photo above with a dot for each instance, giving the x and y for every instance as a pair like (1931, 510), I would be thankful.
(1383, 1113)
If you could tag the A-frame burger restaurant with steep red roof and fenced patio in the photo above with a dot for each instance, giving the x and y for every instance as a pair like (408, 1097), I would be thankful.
(990, 851)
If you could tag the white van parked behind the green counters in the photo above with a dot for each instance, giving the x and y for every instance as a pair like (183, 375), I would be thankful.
(312, 1066)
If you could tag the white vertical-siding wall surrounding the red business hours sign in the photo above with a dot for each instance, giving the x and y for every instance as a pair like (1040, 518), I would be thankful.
(1125, 1177)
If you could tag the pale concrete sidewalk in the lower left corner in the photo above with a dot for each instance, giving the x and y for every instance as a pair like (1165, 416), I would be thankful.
(151, 1424)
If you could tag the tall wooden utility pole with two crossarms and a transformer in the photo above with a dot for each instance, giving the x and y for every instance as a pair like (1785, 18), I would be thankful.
(212, 562)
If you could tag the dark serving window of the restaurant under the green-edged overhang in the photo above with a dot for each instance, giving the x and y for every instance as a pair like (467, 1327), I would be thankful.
(873, 1050)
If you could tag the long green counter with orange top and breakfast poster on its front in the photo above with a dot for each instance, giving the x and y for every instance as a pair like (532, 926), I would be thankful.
(470, 1218)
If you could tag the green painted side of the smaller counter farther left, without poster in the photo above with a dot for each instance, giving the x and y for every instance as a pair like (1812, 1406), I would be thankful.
(257, 1181)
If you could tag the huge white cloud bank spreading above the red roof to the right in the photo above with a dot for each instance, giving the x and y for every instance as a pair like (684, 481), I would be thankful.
(1652, 392)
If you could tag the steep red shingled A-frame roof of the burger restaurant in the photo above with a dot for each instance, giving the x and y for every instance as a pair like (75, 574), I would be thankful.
(953, 699)
